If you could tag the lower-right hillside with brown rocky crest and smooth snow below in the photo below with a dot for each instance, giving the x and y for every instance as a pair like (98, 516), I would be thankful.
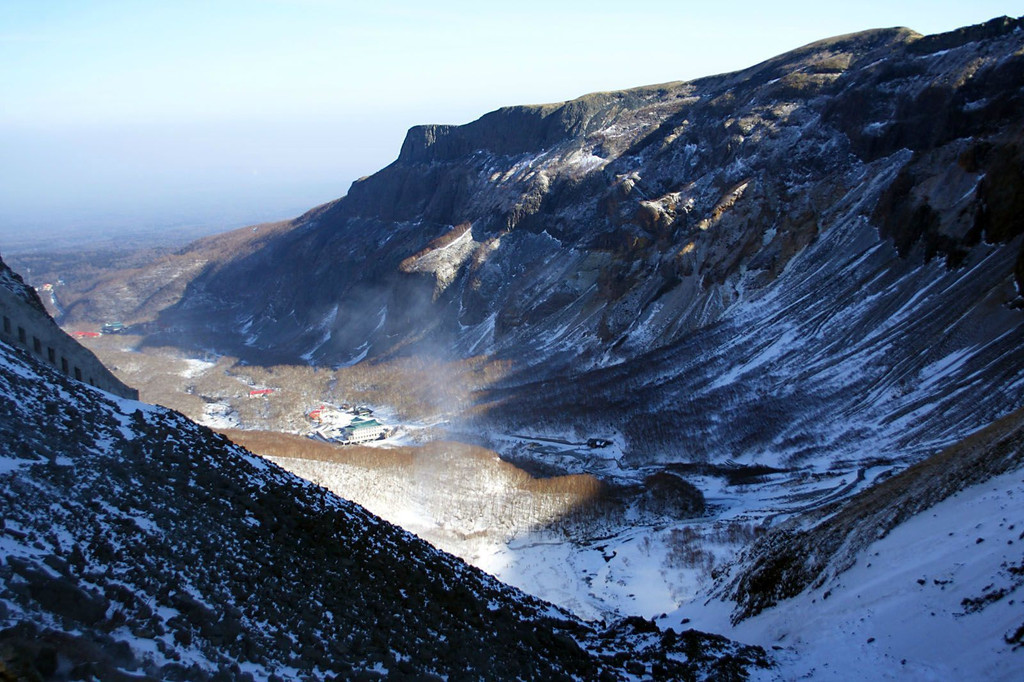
(919, 578)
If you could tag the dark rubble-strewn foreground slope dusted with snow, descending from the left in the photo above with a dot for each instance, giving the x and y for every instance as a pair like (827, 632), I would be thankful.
(139, 545)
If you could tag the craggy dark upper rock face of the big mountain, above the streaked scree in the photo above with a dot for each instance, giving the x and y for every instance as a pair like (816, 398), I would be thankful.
(585, 215)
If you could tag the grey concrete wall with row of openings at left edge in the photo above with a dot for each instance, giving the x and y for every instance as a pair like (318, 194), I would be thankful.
(23, 325)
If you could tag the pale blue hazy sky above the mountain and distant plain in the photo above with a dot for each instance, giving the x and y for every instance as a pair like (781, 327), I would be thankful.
(185, 118)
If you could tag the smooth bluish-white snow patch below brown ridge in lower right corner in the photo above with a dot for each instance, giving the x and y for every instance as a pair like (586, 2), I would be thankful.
(942, 598)
